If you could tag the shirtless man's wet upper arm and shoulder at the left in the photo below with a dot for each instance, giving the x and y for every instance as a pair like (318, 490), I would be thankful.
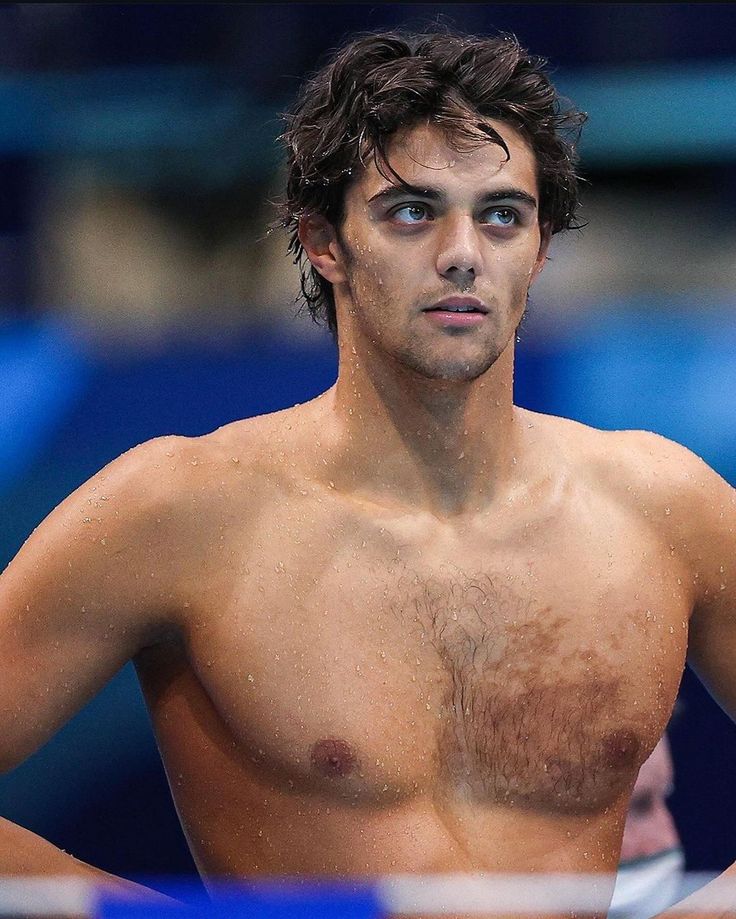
(83, 595)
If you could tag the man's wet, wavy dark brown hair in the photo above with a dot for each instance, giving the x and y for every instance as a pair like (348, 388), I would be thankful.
(379, 83)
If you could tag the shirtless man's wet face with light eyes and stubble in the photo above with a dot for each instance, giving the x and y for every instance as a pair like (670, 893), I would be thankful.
(467, 230)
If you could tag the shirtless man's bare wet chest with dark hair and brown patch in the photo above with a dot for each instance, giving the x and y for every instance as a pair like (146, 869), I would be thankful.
(542, 686)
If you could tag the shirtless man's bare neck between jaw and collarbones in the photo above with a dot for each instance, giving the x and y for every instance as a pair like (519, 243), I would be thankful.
(397, 438)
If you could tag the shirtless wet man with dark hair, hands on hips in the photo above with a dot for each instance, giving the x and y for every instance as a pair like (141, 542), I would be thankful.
(407, 626)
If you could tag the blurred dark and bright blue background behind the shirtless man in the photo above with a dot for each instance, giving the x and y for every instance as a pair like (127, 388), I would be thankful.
(142, 294)
